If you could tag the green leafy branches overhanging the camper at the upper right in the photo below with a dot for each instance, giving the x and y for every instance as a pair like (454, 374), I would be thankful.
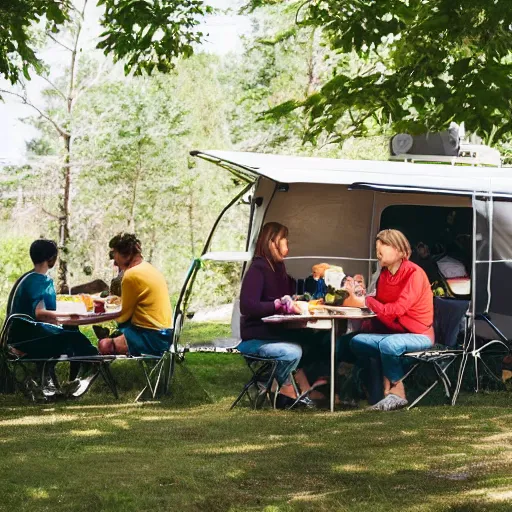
(423, 63)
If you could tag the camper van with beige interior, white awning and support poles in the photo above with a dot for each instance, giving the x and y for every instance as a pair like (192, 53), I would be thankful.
(455, 210)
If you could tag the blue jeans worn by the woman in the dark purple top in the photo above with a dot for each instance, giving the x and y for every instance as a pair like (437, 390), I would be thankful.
(288, 354)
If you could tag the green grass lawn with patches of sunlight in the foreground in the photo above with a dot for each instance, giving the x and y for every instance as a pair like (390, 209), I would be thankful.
(190, 453)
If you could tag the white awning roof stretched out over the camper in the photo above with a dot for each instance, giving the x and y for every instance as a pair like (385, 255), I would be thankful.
(374, 174)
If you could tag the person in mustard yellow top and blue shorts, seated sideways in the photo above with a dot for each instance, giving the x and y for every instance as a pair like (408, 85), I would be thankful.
(145, 320)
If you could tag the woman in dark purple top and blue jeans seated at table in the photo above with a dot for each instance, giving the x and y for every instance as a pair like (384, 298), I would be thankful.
(266, 290)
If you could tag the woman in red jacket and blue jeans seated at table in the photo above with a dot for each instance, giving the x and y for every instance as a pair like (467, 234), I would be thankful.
(404, 307)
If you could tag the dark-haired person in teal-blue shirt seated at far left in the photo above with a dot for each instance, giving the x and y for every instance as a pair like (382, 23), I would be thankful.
(38, 335)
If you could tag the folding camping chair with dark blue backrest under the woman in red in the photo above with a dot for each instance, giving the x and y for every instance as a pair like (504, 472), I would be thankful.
(449, 316)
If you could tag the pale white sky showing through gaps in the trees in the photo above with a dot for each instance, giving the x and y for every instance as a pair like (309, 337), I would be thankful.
(224, 35)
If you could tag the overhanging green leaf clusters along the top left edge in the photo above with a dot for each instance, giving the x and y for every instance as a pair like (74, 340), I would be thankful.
(149, 34)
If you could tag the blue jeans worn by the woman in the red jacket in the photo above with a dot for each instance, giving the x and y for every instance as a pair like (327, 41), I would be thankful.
(389, 348)
